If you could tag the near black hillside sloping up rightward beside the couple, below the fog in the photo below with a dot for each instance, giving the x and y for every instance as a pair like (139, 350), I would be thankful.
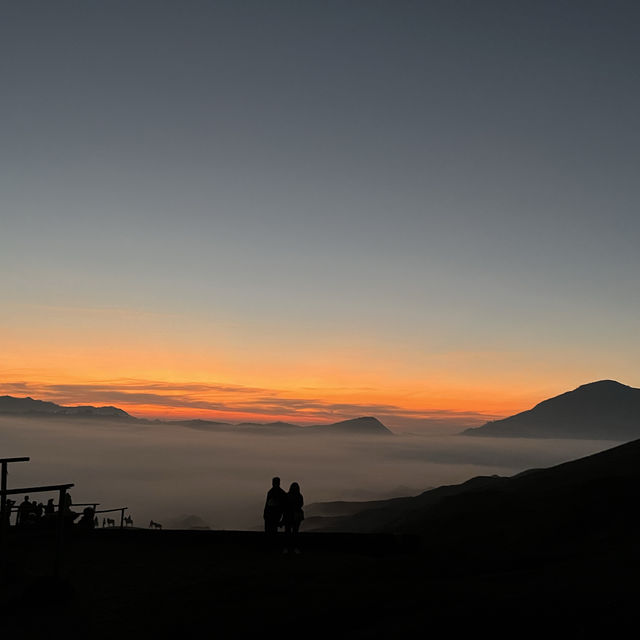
(590, 498)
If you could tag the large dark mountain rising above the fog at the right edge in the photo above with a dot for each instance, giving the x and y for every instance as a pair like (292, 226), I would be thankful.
(604, 410)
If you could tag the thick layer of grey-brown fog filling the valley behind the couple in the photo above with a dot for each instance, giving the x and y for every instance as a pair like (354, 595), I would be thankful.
(165, 472)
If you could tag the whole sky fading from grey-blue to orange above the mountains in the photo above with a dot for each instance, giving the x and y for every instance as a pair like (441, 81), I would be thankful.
(422, 211)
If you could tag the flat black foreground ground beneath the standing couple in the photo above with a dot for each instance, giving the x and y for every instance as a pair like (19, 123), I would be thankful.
(194, 584)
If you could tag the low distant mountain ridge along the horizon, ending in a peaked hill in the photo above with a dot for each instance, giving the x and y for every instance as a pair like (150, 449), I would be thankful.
(30, 407)
